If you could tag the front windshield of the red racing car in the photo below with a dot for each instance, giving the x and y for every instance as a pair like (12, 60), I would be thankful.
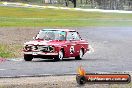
(51, 35)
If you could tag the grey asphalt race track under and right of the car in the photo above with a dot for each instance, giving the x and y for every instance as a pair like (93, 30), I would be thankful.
(112, 52)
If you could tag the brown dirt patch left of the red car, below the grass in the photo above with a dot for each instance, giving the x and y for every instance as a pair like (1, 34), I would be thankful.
(17, 35)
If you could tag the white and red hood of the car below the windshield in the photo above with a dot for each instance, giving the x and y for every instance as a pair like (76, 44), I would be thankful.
(45, 42)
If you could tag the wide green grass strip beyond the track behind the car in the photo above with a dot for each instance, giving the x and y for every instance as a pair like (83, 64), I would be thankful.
(31, 17)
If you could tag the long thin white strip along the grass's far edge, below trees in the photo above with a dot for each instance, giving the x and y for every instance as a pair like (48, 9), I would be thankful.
(64, 8)
